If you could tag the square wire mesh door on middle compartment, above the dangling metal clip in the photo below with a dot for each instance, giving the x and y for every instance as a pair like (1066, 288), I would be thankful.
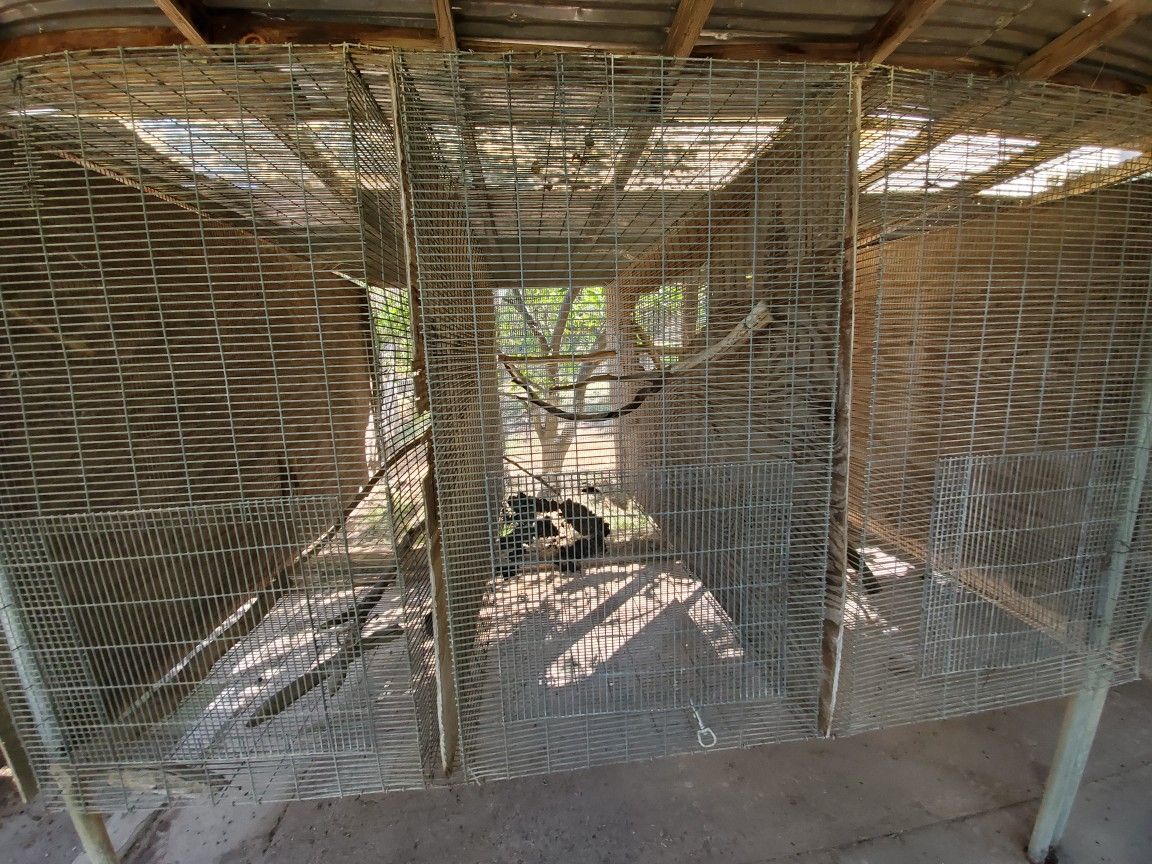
(636, 632)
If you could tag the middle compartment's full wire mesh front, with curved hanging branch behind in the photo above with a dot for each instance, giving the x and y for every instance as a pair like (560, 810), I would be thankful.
(630, 291)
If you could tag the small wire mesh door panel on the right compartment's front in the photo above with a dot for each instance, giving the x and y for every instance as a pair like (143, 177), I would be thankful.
(1040, 528)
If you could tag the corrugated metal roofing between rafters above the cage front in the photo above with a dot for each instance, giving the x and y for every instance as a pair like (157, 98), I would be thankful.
(999, 33)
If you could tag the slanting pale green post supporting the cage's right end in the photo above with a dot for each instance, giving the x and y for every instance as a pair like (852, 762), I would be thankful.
(1083, 715)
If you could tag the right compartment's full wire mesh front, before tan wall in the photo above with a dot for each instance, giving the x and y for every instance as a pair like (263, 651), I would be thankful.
(1002, 362)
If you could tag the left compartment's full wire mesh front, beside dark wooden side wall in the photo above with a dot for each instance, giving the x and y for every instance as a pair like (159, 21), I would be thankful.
(213, 586)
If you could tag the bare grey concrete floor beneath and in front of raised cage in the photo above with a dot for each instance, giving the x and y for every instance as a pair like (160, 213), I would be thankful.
(960, 792)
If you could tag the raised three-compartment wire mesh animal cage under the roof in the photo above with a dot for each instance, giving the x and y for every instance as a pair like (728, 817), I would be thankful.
(373, 420)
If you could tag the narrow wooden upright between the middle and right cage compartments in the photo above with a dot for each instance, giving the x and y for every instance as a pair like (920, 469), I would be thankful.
(836, 574)
